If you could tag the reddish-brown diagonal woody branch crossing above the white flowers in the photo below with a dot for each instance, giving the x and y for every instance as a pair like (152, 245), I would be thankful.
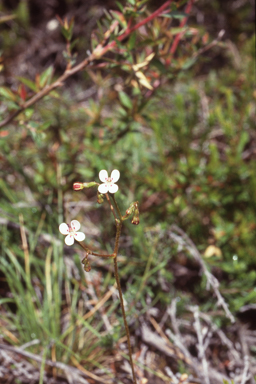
(96, 54)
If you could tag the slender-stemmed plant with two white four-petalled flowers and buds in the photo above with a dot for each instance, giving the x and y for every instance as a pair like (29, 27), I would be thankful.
(107, 189)
